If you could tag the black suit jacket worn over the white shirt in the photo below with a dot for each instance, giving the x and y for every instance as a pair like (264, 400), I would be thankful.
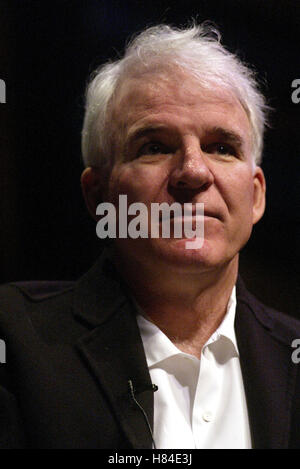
(71, 350)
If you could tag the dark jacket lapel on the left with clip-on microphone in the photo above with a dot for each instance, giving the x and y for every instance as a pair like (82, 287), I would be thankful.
(114, 350)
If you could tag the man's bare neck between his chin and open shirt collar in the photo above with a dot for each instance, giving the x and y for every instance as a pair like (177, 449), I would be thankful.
(187, 307)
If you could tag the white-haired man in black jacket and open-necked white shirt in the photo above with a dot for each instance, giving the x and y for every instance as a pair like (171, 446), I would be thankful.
(159, 346)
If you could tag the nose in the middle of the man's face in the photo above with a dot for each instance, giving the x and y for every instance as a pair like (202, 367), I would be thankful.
(191, 171)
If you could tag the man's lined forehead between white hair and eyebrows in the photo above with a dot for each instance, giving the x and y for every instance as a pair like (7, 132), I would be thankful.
(177, 99)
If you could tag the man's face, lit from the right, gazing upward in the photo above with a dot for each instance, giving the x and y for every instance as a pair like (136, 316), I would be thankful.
(176, 142)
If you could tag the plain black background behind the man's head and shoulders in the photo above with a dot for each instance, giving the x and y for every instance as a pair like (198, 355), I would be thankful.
(47, 51)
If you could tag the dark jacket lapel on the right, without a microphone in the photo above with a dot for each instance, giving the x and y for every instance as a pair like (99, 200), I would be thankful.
(268, 372)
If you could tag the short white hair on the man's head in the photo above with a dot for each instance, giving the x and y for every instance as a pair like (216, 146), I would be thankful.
(198, 51)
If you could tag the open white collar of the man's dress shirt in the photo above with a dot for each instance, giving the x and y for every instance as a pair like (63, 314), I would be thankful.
(159, 347)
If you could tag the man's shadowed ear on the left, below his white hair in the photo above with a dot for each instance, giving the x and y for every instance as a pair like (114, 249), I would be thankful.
(92, 189)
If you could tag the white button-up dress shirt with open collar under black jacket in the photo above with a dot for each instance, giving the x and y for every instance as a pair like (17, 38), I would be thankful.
(199, 403)
